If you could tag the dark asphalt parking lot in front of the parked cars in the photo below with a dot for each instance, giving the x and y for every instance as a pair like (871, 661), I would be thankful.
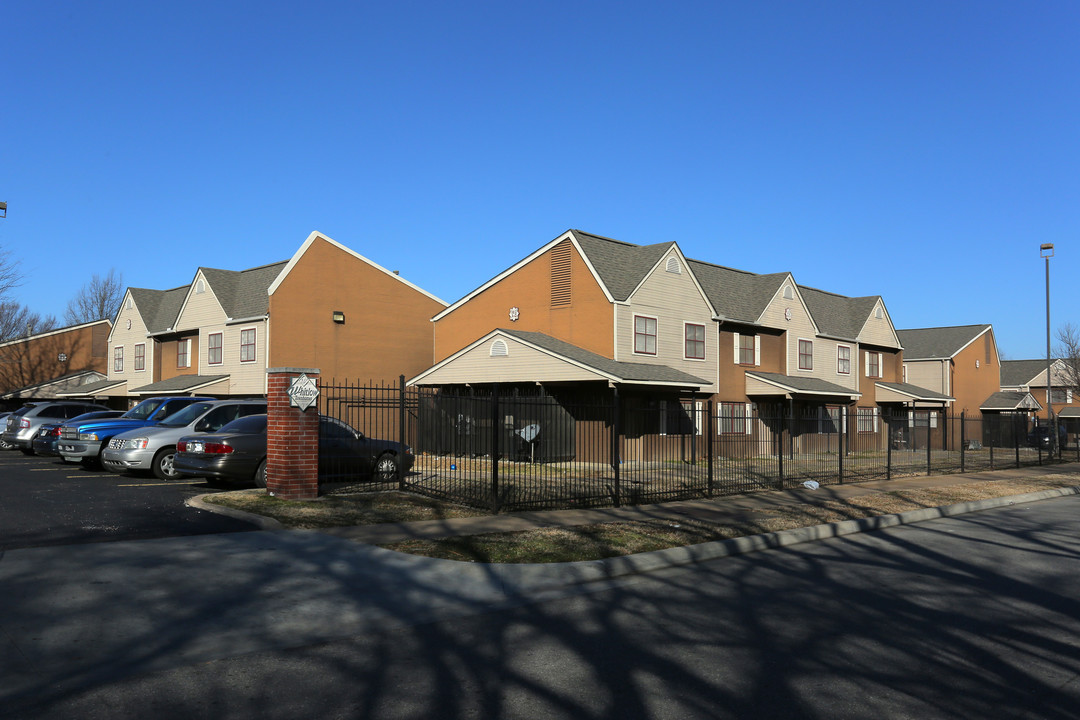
(48, 502)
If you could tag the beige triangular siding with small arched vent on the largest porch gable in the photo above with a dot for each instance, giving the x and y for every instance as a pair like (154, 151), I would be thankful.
(520, 364)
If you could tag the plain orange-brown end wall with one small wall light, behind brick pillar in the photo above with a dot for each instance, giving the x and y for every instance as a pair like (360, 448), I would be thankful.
(388, 329)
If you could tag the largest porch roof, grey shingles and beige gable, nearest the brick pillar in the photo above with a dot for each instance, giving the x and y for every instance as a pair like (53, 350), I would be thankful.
(519, 357)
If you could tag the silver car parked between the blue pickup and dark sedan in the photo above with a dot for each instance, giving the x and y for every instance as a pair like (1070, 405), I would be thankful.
(154, 449)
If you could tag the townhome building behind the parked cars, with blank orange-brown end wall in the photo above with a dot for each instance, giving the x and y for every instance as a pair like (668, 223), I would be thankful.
(328, 308)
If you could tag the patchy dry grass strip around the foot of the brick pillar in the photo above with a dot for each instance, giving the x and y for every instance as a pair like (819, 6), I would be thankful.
(347, 510)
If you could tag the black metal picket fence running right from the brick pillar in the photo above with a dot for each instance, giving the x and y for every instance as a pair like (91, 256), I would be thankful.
(515, 453)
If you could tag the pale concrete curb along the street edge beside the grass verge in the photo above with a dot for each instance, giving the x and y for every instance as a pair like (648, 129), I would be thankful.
(531, 579)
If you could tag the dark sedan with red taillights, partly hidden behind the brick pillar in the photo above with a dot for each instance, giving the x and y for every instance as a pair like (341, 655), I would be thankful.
(238, 452)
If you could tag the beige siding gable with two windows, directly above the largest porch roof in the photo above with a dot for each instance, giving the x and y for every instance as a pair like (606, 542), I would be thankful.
(673, 300)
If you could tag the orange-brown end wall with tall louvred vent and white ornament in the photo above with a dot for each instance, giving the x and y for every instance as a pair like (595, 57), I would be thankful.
(588, 322)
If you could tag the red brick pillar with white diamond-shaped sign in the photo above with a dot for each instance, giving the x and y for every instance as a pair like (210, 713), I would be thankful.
(292, 439)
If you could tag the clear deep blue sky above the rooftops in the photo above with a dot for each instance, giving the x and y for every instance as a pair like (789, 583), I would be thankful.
(920, 151)
